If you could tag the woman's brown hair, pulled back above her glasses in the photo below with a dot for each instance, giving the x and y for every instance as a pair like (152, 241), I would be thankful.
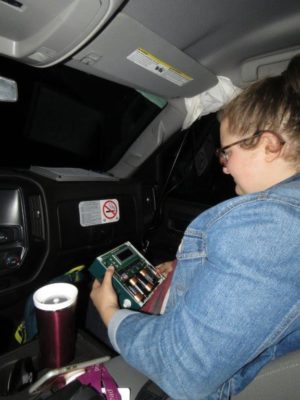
(271, 103)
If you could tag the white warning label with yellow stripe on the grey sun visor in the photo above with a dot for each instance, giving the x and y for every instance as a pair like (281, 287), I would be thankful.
(153, 64)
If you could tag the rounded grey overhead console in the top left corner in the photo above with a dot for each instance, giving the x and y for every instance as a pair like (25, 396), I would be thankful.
(42, 33)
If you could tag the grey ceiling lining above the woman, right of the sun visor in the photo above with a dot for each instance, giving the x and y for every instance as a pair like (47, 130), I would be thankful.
(224, 35)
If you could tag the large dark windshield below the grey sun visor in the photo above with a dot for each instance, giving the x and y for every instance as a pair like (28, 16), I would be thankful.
(68, 118)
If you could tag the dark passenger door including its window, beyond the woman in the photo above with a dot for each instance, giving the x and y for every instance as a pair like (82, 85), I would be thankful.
(189, 179)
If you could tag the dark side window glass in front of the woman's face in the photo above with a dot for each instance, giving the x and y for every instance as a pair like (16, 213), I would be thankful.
(197, 175)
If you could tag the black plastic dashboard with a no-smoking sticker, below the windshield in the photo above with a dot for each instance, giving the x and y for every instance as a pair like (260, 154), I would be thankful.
(41, 230)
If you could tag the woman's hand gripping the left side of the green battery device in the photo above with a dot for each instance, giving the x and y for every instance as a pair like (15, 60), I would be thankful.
(104, 296)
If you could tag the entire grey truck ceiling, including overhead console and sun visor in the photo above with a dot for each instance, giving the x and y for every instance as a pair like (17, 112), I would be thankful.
(241, 39)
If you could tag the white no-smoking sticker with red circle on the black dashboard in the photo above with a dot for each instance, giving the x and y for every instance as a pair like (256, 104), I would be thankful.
(97, 212)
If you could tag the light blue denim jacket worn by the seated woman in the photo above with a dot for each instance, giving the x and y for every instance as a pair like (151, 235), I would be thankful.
(234, 303)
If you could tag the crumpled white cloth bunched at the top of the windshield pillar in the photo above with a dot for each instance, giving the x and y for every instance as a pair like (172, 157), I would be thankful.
(209, 101)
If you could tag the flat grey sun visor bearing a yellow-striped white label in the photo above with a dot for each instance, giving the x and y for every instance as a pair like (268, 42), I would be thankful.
(129, 53)
